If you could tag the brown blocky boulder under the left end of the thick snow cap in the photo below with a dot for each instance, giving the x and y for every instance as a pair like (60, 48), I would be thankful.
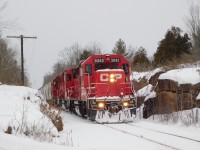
(166, 85)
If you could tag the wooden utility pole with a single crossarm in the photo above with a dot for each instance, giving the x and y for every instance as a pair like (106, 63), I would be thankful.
(22, 53)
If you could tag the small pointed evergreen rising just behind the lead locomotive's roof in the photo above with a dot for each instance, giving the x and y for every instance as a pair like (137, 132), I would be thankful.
(120, 47)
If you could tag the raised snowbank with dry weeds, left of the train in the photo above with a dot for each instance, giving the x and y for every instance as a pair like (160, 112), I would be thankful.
(20, 109)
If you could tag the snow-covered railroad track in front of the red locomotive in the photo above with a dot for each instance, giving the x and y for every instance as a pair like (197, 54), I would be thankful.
(148, 136)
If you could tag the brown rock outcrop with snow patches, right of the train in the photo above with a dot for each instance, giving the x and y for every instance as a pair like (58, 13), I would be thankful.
(171, 95)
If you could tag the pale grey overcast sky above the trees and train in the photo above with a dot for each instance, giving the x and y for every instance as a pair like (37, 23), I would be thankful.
(61, 23)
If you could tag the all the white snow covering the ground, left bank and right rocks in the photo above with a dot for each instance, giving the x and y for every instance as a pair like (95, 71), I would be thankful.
(83, 134)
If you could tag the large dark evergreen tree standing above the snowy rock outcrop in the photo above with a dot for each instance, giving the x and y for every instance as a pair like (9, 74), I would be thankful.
(172, 46)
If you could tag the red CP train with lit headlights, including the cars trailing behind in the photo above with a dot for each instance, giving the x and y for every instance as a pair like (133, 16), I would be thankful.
(99, 88)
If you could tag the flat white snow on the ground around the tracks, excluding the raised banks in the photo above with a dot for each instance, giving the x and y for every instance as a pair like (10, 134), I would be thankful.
(86, 135)
